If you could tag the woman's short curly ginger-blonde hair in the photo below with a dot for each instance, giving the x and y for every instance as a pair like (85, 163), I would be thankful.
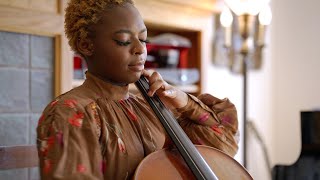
(82, 14)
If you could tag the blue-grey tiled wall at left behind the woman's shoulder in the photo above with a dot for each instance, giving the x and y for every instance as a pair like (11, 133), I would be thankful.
(26, 87)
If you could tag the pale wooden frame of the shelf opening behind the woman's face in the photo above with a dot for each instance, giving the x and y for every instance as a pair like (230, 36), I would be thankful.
(191, 19)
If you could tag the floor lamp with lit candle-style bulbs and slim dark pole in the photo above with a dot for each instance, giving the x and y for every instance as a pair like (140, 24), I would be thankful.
(246, 12)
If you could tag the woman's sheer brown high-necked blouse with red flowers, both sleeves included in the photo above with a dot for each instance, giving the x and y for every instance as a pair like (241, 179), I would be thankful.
(92, 133)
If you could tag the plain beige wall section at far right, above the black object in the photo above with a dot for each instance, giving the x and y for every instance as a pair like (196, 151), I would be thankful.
(295, 53)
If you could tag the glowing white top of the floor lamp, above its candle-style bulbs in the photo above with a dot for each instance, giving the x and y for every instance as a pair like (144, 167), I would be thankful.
(252, 7)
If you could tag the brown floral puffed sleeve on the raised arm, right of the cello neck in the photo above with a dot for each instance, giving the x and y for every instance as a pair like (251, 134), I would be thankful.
(210, 121)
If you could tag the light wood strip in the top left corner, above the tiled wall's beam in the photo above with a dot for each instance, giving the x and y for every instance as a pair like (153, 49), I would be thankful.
(35, 5)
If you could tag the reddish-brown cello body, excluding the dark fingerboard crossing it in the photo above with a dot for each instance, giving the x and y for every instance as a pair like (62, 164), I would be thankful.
(167, 164)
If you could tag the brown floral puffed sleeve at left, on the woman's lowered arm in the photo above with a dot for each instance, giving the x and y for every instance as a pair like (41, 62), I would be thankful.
(68, 146)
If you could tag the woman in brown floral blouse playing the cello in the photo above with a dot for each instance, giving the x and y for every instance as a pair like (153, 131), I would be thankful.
(101, 131)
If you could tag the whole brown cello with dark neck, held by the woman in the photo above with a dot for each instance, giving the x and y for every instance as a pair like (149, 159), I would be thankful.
(186, 161)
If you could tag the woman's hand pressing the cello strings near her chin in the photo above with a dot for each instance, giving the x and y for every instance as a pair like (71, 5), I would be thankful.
(171, 96)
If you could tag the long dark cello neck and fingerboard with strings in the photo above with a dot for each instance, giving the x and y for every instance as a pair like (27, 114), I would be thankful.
(190, 154)
